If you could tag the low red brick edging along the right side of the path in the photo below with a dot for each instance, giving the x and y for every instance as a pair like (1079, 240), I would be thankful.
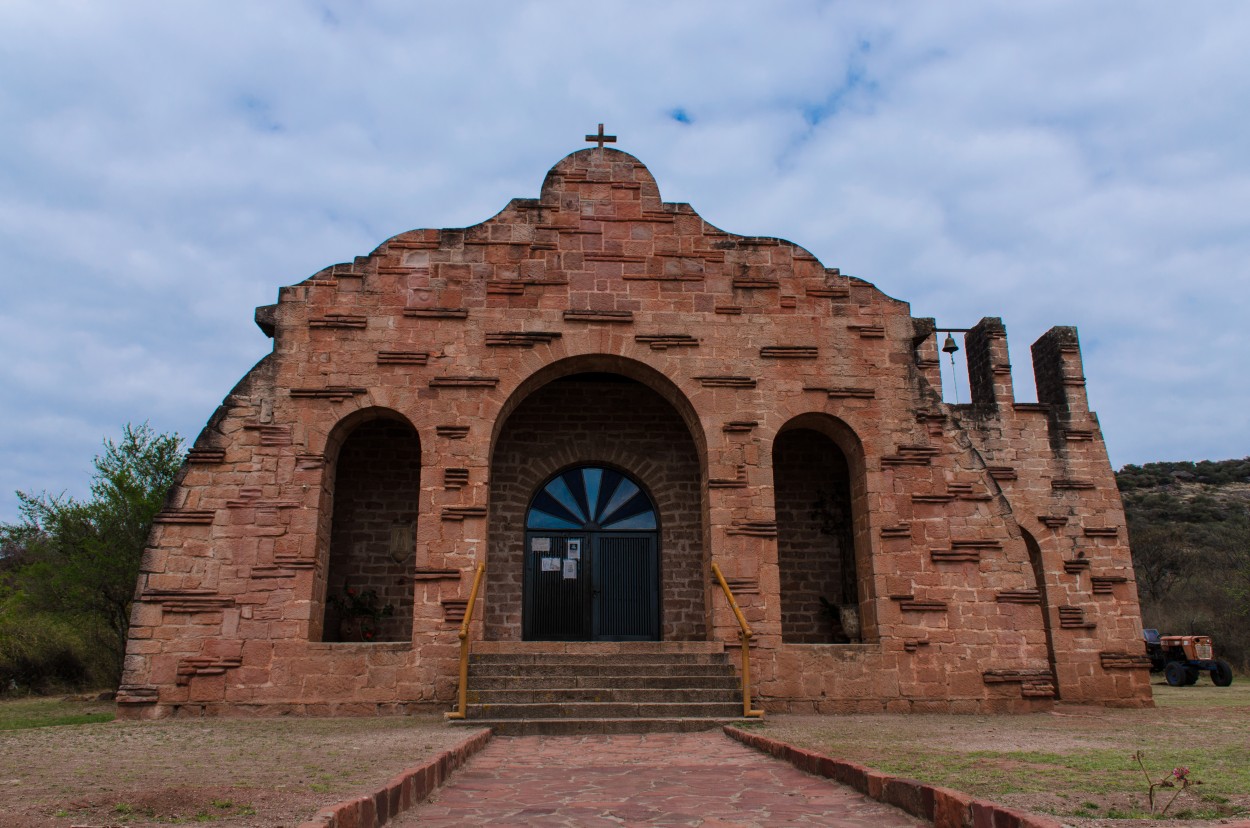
(943, 807)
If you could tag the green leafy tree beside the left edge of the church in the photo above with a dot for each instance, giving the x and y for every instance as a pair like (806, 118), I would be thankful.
(79, 560)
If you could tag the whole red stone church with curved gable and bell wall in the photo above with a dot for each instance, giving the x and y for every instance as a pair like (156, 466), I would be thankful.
(599, 396)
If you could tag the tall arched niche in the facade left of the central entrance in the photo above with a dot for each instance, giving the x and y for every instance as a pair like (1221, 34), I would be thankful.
(373, 493)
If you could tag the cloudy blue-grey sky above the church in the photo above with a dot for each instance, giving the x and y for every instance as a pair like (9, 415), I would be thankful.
(167, 167)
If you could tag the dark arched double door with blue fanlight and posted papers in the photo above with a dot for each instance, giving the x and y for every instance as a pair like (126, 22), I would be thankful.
(593, 560)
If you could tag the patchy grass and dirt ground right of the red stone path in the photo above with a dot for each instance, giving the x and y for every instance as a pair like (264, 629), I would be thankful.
(1078, 761)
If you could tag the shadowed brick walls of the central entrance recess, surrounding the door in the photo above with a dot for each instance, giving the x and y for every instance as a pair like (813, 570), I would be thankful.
(609, 422)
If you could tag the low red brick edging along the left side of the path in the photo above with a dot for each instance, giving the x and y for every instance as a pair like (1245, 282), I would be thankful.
(402, 792)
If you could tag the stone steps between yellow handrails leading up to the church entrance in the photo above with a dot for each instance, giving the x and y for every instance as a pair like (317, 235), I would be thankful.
(521, 689)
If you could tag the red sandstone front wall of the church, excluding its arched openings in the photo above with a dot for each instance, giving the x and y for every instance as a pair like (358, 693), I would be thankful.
(453, 331)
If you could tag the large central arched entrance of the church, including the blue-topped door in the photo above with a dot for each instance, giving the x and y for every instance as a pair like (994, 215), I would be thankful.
(608, 462)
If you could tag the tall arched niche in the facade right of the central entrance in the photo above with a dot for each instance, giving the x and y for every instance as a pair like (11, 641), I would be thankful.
(818, 482)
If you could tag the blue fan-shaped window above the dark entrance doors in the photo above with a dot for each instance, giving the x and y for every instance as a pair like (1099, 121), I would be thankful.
(592, 498)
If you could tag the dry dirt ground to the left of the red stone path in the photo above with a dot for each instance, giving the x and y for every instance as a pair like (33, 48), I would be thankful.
(238, 774)
